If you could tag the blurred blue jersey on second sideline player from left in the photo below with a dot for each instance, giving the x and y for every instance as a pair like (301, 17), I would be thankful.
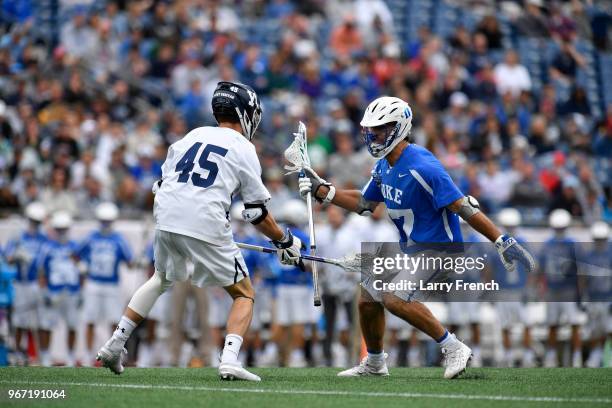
(59, 267)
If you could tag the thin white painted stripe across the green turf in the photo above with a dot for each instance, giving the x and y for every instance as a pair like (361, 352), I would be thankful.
(322, 392)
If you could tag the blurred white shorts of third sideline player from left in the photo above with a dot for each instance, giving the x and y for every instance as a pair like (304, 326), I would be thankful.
(102, 303)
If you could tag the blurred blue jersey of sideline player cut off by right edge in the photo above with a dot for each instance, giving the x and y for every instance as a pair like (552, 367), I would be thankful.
(597, 264)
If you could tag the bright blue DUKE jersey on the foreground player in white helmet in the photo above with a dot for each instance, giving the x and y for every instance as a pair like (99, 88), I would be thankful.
(416, 192)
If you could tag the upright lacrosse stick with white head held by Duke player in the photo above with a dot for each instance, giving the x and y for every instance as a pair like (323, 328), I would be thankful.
(297, 155)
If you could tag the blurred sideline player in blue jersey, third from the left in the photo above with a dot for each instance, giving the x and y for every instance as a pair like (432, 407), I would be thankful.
(103, 251)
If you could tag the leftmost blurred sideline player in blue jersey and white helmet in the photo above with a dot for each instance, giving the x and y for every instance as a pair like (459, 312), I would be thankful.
(23, 251)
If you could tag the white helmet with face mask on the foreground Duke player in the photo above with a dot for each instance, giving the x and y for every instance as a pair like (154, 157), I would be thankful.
(383, 110)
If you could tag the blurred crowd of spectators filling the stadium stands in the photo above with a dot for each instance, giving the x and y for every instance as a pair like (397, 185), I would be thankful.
(88, 109)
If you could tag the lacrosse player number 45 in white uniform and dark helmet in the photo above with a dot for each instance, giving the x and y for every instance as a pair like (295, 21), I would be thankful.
(201, 173)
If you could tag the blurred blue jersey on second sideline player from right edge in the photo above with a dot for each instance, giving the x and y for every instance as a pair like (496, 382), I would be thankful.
(558, 261)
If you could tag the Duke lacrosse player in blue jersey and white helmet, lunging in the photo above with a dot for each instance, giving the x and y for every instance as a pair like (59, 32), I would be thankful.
(424, 204)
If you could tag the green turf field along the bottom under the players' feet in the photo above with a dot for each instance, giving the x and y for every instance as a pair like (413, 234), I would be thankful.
(312, 388)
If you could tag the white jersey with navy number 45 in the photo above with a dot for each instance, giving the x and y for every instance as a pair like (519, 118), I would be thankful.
(201, 173)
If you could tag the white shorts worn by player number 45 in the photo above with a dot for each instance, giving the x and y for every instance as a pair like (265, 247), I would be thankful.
(214, 265)
